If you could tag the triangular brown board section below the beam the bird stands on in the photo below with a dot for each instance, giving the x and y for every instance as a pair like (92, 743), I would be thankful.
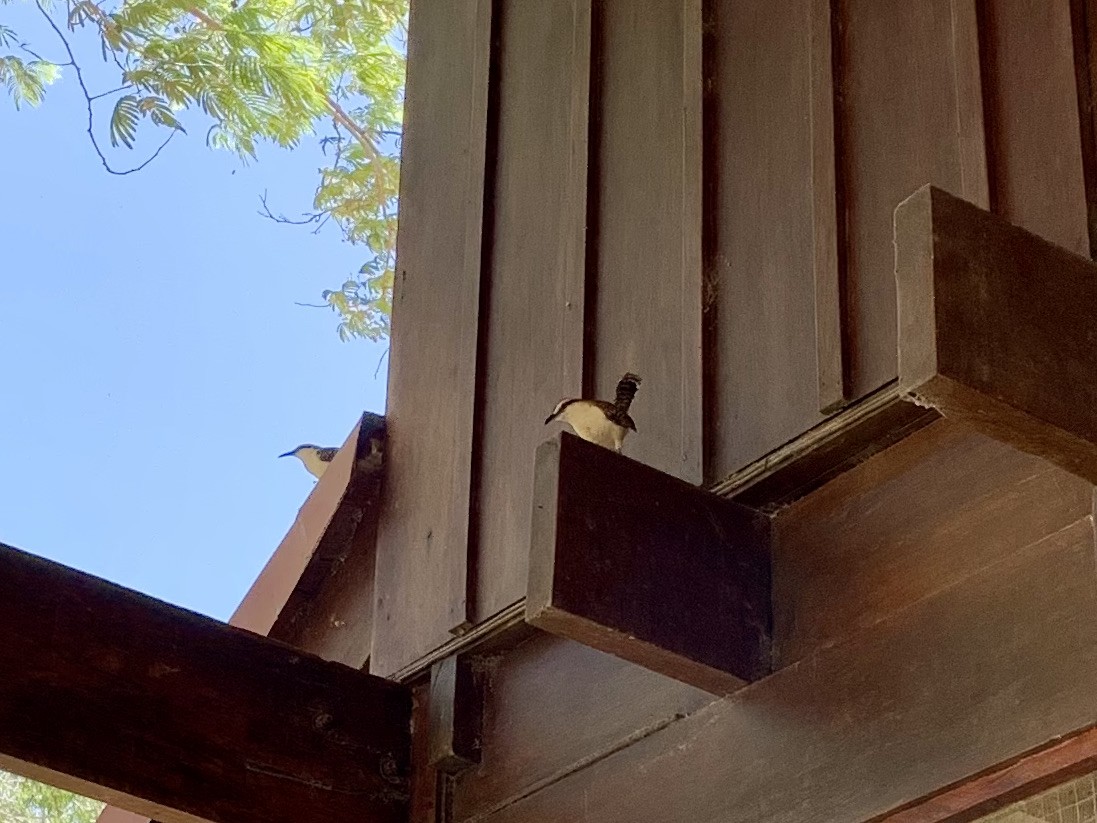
(555, 706)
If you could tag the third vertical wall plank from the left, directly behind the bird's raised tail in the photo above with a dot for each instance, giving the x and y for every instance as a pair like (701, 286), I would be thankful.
(647, 195)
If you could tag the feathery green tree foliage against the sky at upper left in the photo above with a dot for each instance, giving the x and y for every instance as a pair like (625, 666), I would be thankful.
(261, 72)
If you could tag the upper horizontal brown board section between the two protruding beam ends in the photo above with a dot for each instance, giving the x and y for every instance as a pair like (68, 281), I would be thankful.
(913, 506)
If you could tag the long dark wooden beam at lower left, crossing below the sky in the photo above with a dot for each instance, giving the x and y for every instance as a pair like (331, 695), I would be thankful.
(172, 715)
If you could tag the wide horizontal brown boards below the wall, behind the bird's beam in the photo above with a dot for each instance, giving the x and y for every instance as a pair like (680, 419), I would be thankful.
(990, 644)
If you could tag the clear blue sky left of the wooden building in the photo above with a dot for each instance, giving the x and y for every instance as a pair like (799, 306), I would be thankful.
(153, 364)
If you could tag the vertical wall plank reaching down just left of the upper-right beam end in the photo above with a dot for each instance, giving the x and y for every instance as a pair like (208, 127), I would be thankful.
(908, 116)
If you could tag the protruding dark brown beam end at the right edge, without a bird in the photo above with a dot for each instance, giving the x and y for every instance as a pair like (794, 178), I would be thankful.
(997, 329)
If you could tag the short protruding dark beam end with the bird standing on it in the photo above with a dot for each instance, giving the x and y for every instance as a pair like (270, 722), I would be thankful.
(642, 566)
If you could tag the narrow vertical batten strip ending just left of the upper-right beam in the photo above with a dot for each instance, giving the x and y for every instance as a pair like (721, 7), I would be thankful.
(825, 265)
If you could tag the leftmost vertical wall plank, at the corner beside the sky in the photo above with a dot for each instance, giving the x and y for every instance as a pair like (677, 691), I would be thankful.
(423, 545)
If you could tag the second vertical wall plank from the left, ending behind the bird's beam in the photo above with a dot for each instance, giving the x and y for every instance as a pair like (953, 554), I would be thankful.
(534, 346)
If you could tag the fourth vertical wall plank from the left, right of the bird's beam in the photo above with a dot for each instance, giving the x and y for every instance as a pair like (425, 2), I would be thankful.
(771, 230)
